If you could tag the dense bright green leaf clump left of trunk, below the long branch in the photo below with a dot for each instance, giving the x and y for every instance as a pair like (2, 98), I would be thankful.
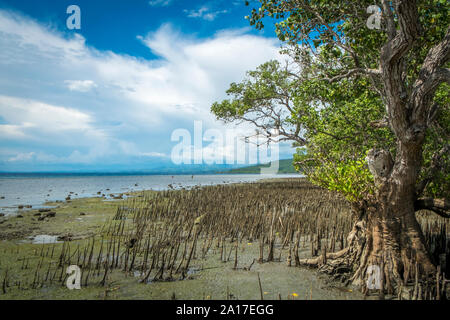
(339, 135)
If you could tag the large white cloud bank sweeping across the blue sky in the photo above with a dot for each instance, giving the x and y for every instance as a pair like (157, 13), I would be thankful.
(48, 101)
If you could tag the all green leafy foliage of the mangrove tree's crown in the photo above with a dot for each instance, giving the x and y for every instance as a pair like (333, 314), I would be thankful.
(325, 39)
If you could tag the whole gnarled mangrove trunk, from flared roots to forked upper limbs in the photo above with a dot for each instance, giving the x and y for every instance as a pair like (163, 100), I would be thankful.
(387, 233)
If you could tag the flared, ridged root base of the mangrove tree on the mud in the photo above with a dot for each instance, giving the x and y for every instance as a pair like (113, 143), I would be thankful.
(376, 245)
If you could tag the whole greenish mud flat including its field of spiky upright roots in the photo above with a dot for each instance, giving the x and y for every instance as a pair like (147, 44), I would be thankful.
(205, 243)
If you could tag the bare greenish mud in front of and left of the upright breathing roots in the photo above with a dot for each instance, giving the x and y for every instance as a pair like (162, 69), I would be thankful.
(78, 221)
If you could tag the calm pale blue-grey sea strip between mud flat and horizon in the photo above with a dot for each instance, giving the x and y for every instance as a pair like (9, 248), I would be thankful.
(35, 190)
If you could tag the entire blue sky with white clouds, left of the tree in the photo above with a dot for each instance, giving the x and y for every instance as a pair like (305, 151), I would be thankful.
(112, 95)
